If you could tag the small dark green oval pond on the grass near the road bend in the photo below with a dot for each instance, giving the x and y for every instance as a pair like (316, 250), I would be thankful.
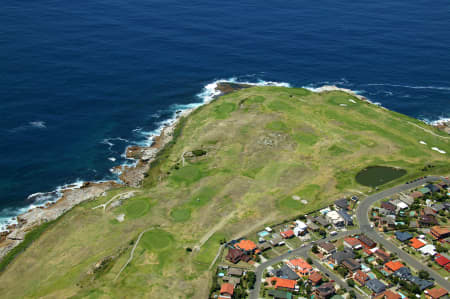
(374, 176)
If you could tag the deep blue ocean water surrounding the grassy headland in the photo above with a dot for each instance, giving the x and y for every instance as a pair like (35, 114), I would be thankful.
(75, 76)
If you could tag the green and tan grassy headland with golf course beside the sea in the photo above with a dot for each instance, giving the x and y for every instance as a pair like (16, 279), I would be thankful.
(234, 167)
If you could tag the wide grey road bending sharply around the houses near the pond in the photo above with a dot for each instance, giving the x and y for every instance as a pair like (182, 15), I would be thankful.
(364, 224)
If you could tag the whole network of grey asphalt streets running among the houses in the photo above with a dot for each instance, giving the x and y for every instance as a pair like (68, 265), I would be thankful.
(363, 220)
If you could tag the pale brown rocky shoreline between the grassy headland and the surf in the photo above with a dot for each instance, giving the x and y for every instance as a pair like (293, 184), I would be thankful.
(129, 175)
